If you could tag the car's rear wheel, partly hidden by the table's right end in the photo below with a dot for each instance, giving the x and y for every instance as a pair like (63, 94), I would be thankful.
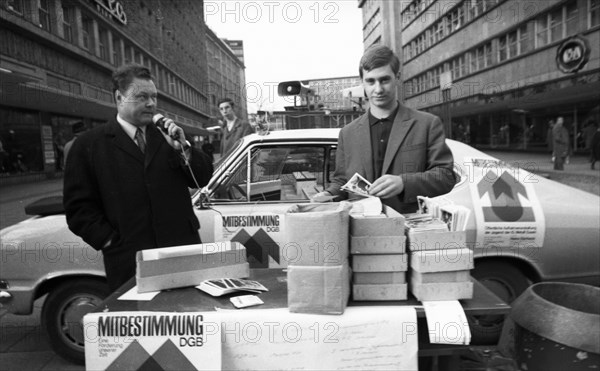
(507, 282)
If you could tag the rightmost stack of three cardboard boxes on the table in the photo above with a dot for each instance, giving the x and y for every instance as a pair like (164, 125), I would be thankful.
(439, 265)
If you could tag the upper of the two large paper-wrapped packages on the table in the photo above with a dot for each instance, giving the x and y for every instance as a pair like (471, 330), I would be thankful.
(318, 233)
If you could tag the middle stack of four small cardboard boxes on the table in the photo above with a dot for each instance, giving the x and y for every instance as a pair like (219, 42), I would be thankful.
(379, 260)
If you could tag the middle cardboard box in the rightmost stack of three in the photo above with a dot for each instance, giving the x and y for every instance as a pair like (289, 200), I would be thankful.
(427, 261)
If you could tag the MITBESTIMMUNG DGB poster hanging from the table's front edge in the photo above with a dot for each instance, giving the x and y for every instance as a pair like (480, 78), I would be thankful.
(152, 341)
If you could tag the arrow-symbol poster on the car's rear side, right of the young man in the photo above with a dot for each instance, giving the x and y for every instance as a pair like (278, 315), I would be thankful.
(506, 207)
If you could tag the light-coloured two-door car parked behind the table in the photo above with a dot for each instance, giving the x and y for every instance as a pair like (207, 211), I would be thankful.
(523, 229)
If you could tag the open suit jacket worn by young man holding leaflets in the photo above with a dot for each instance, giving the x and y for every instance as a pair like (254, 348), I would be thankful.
(416, 151)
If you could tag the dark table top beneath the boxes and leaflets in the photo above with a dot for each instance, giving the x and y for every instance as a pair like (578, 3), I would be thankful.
(190, 299)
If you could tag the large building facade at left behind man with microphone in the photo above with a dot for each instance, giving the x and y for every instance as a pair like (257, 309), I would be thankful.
(56, 61)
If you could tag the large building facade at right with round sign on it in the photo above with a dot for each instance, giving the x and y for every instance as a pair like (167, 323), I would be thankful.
(499, 71)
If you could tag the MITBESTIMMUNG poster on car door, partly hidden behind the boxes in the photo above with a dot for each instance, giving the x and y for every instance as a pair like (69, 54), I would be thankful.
(260, 229)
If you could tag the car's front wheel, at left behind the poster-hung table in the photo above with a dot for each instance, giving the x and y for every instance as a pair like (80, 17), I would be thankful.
(62, 315)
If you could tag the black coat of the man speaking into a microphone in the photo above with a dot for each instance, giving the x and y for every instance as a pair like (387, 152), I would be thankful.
(112, 191)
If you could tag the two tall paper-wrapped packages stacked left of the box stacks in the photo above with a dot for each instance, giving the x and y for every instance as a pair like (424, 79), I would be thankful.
(318, 275)
